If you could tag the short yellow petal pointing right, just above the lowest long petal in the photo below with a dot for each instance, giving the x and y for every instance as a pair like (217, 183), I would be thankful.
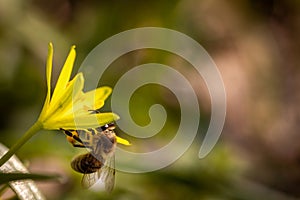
(95, 99)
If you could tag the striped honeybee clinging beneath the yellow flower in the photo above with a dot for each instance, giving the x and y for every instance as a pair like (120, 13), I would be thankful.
(99, 163)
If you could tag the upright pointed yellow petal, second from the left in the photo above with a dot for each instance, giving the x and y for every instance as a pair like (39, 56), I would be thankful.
(65, 73)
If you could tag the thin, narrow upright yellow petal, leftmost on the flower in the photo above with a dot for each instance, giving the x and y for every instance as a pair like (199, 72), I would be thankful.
(48, 77)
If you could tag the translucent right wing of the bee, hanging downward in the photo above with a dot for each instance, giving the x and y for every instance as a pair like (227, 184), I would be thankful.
(108, 173)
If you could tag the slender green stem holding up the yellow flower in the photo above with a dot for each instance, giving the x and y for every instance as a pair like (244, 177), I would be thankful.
(33, 130)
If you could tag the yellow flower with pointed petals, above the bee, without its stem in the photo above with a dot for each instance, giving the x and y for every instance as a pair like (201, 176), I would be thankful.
(69, 107)
